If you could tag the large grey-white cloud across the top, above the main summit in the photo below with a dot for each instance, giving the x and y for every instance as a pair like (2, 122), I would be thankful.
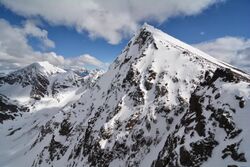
(109, 19)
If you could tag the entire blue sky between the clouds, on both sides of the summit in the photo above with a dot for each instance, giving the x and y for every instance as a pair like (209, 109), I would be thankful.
(211, 23)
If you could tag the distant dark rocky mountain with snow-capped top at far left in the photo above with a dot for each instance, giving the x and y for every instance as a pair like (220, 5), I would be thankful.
(34, 76)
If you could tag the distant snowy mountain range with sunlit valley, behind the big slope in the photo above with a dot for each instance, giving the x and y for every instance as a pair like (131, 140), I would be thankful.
(40, 86)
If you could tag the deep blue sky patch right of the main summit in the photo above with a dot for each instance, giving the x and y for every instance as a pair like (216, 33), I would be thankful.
(231, 18)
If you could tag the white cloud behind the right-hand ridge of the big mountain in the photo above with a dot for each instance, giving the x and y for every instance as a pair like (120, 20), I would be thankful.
(233, 50)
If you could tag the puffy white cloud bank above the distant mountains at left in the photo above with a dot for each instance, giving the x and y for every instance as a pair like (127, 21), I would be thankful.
(15, 51)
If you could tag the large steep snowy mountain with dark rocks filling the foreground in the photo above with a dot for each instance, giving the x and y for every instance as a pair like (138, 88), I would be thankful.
(161, 103)
